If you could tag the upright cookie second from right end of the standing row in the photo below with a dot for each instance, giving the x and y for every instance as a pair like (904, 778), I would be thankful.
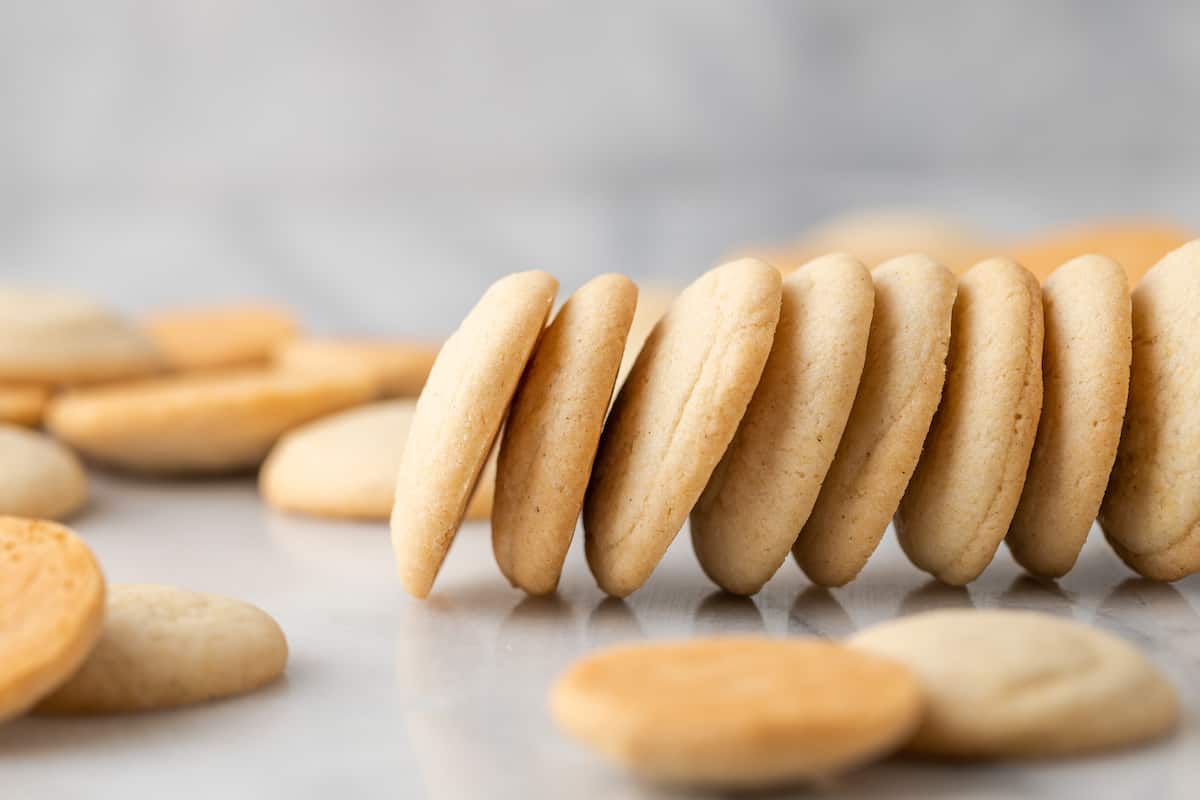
(1085, 374)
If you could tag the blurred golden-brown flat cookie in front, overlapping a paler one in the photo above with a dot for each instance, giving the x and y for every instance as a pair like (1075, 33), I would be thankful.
(737, 713)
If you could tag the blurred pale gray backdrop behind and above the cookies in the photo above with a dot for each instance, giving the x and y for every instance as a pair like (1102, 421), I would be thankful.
(379, 164)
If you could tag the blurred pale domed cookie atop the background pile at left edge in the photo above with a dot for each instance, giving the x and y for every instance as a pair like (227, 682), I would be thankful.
(49, 339)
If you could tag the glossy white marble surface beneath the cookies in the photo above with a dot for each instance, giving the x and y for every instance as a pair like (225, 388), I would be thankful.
(387, 696)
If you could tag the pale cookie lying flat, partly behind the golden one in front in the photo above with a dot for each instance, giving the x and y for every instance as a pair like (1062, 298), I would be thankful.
(1010, 684)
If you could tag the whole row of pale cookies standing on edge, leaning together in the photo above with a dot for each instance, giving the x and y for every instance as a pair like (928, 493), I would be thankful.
(803, 414)
